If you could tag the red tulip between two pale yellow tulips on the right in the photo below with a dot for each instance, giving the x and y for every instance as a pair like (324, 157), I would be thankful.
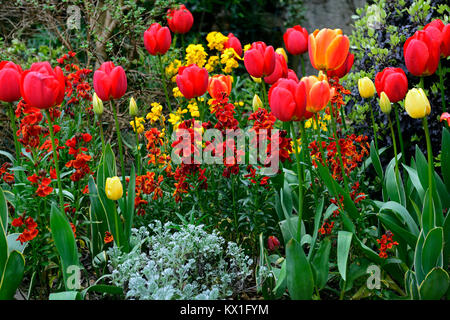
(393, 82)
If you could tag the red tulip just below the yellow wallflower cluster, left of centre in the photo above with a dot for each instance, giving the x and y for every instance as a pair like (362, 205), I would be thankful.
(192, 81)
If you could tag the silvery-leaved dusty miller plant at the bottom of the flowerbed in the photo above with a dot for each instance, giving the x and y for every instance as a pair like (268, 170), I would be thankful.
(183, 264)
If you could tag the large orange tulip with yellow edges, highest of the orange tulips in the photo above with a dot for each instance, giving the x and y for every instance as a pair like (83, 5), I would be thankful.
(328, 49)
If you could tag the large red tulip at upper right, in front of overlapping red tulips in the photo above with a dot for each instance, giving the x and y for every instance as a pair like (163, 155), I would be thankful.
(422, 52)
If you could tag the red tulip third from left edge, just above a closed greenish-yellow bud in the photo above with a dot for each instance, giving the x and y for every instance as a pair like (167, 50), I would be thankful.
(110, 82)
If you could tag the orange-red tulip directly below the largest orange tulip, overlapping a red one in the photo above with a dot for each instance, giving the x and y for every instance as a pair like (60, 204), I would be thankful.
(318, 92)
